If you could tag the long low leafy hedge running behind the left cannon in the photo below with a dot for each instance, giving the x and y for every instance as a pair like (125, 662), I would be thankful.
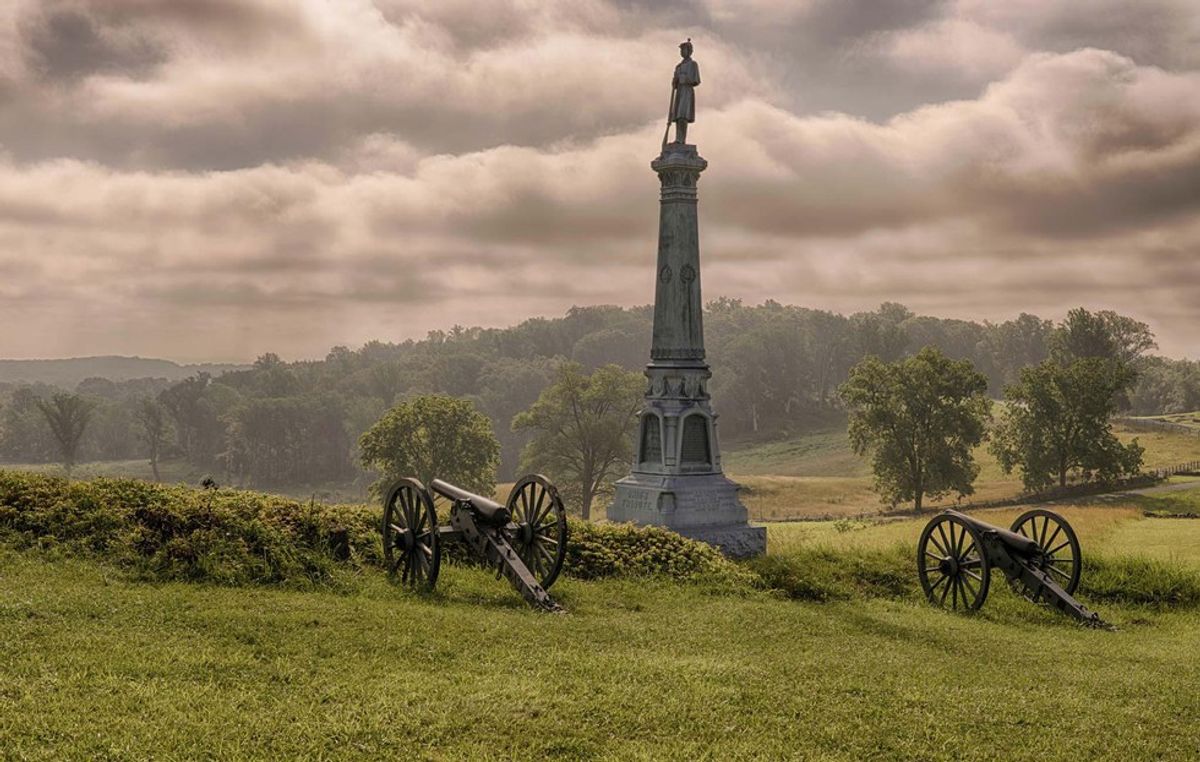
(233, 537)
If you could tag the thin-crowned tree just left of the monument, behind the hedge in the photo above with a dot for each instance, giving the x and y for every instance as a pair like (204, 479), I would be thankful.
(583, 430)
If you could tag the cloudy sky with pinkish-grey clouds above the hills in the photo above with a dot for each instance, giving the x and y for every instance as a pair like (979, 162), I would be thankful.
(213, 179)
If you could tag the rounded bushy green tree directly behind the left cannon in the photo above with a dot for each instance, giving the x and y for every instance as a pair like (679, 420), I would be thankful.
(434, 437)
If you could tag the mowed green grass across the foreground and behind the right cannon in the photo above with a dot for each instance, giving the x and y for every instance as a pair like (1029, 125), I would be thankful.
(98, 667)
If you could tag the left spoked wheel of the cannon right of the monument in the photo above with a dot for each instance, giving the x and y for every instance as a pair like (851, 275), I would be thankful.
(955, 571)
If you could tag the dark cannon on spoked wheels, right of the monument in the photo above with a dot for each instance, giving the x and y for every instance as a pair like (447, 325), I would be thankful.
(1039, 555)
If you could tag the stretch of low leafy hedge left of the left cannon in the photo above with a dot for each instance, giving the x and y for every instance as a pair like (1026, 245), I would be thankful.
(178, 533)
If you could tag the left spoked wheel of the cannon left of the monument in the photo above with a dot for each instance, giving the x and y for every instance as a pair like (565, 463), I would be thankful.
(411, 545)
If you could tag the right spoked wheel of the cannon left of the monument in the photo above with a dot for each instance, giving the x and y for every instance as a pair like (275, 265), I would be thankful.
(541, 527)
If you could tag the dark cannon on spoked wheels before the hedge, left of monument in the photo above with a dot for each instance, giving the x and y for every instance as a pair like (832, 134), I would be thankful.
(525, 539)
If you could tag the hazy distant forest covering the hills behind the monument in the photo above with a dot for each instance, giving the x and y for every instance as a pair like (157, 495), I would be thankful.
(776, 373)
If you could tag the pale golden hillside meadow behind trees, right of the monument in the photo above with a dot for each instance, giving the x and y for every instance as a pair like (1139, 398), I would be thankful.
(818, 476)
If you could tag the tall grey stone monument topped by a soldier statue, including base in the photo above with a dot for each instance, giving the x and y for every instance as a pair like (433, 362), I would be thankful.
(677, 481)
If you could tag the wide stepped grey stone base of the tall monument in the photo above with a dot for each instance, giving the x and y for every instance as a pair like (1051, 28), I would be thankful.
(701, 507)
